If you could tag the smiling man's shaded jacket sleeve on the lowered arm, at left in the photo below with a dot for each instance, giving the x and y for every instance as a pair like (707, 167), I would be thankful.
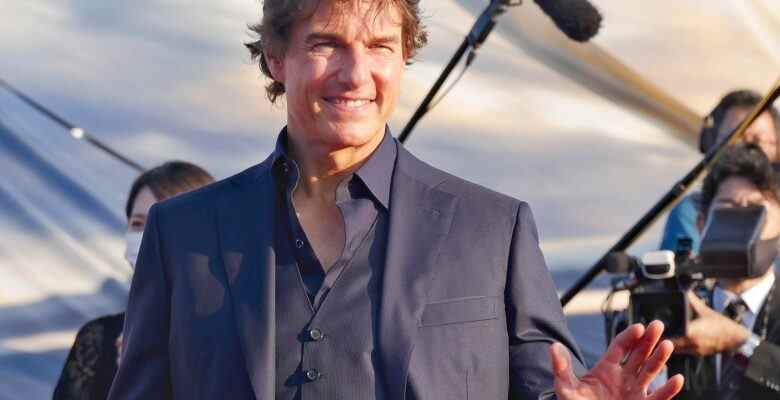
(144, 369)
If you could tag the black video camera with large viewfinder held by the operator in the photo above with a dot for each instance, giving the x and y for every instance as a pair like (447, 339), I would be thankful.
(659, 281)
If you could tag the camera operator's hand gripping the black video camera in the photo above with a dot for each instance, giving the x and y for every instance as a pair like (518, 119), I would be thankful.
(710, 333)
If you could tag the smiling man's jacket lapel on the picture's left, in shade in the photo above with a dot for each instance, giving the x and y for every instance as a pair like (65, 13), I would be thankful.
(245, 220)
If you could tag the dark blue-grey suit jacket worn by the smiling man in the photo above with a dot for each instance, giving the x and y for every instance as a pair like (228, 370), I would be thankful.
(467, 310)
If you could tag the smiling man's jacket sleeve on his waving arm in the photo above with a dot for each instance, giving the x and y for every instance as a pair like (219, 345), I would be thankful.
(534, 315)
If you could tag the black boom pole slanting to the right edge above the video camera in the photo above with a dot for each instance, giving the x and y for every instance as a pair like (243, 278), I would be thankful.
(671, 196)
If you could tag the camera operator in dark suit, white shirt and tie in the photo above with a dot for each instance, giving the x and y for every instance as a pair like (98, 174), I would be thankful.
(736, 341)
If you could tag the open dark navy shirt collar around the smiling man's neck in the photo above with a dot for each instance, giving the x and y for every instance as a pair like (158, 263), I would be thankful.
(376, 173)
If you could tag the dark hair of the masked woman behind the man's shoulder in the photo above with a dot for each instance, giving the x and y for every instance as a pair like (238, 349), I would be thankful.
(168, 180)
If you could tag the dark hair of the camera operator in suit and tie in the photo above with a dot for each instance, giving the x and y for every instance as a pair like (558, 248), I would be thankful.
(744, 160)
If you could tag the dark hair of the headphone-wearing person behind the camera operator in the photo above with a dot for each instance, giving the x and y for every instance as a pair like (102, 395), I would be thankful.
(741, 98)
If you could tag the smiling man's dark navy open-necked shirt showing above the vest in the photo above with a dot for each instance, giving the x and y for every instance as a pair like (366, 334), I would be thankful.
(360, 197)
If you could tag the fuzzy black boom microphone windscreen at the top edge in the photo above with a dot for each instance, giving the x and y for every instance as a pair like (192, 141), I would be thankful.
(578, 19)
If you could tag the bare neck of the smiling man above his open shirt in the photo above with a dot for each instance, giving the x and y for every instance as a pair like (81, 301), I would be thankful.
(322, 168)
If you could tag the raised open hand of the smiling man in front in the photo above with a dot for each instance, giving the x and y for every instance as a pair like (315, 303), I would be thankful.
(623, 373)
